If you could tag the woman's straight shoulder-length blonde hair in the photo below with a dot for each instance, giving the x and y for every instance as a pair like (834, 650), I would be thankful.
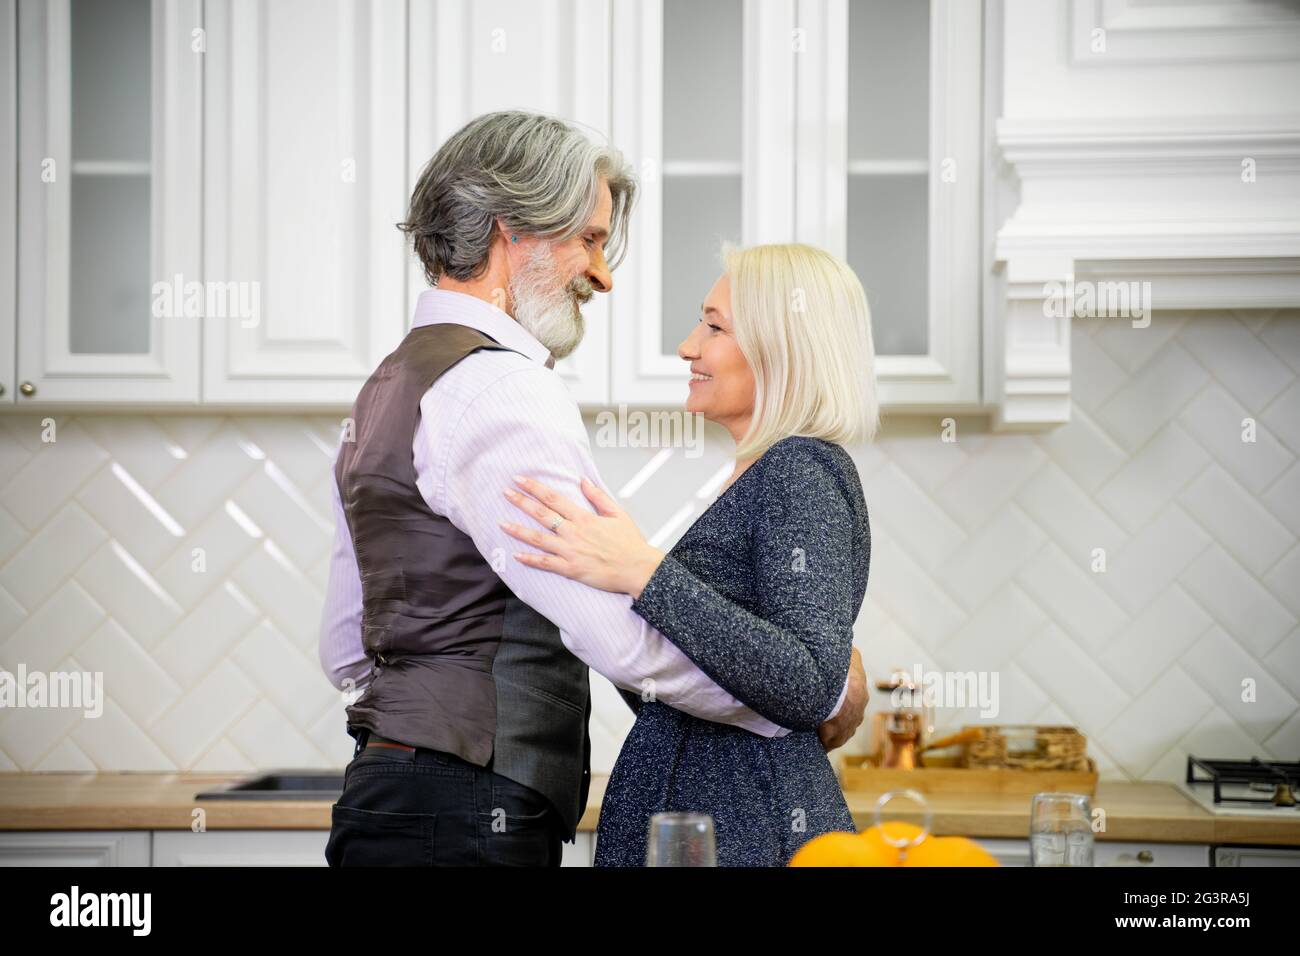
(803, 323)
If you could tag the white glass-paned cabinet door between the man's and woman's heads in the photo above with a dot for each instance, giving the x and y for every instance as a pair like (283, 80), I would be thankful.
(704, 110)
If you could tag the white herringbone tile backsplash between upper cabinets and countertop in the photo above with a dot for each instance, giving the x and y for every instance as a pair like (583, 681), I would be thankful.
(982, 555)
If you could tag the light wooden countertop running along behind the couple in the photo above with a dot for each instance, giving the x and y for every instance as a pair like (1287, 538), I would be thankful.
(1136, 812)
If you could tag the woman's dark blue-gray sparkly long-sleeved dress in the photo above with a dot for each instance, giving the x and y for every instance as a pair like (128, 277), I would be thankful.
(761, 594)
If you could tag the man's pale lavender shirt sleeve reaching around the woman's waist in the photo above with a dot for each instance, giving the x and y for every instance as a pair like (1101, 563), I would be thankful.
(526, 423)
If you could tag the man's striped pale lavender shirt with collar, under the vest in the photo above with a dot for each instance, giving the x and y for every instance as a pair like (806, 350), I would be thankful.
(491, 417)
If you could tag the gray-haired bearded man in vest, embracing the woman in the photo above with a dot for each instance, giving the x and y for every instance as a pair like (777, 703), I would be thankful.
(471, 736)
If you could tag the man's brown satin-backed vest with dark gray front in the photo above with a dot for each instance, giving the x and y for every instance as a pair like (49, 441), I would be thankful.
(460, 664)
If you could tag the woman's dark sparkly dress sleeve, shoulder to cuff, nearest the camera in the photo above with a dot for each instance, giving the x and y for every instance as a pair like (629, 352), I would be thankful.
(790, 661)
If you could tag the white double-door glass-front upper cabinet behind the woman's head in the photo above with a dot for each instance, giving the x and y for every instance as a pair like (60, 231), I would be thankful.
(853, 126)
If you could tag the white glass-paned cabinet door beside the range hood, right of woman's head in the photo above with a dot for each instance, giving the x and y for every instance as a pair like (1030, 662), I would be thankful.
(889, 178)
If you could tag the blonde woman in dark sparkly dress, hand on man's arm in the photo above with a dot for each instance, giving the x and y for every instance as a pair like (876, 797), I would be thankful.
(775, 570)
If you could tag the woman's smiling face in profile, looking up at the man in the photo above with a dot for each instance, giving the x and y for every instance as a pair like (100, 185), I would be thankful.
(722, 383)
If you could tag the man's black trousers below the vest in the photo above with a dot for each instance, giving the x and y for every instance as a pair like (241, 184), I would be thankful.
(428, 808)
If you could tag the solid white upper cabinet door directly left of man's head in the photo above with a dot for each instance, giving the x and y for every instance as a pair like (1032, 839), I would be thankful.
(306, 181)
